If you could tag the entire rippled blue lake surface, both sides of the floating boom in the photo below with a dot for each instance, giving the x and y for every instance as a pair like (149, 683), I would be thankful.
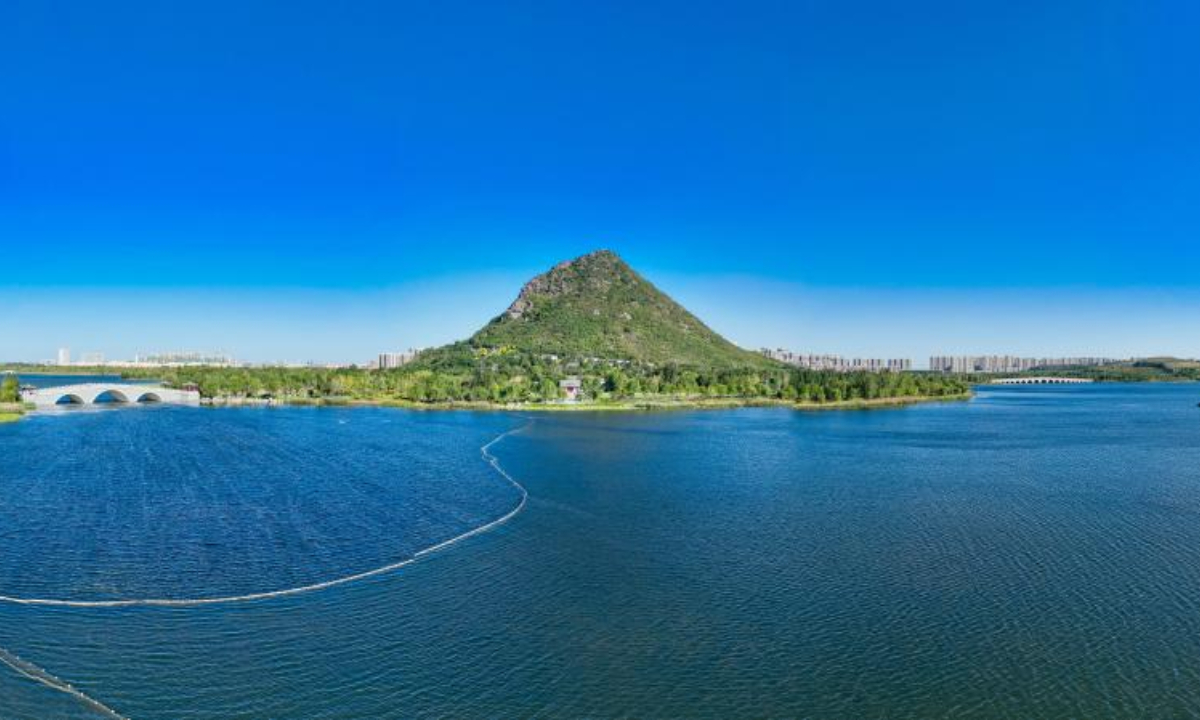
(1033, 554)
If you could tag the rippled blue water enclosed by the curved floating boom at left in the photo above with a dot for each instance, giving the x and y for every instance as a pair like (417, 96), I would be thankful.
(184, 503)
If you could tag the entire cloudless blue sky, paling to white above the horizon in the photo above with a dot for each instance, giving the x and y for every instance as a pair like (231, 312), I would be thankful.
(327, 181)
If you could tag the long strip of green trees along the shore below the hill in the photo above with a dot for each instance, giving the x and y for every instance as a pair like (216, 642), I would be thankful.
(503, 380)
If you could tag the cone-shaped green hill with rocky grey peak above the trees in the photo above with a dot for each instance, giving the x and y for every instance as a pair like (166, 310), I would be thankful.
(597, 307)
